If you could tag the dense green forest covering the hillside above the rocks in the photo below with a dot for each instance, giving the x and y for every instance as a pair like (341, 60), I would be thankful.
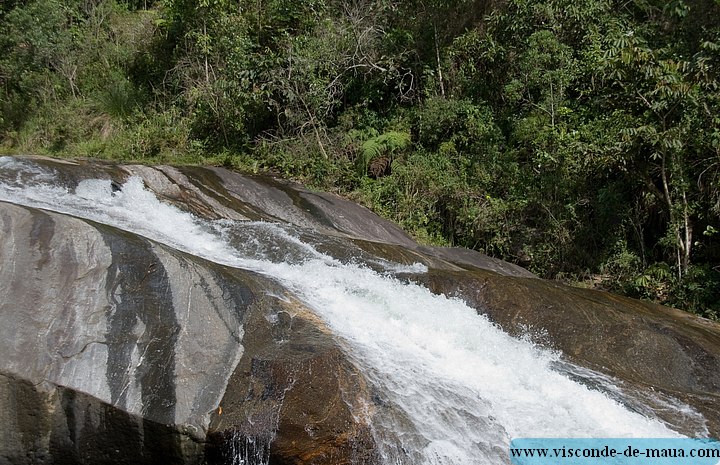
(578, 138)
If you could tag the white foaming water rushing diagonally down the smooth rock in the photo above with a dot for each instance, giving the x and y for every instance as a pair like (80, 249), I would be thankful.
(456, 388)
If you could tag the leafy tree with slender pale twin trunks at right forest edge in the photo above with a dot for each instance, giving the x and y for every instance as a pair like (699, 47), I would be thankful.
(668, 102)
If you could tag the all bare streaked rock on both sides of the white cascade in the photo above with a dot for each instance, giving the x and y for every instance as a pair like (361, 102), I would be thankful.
(117, 349)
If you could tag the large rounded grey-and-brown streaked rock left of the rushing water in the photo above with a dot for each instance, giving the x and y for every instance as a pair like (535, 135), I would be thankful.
(117, 349)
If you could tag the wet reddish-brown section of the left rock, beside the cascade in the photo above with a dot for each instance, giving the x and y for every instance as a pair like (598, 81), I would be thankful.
(300, 396)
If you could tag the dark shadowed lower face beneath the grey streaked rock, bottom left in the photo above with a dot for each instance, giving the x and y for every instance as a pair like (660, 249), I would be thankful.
(58, 425)
